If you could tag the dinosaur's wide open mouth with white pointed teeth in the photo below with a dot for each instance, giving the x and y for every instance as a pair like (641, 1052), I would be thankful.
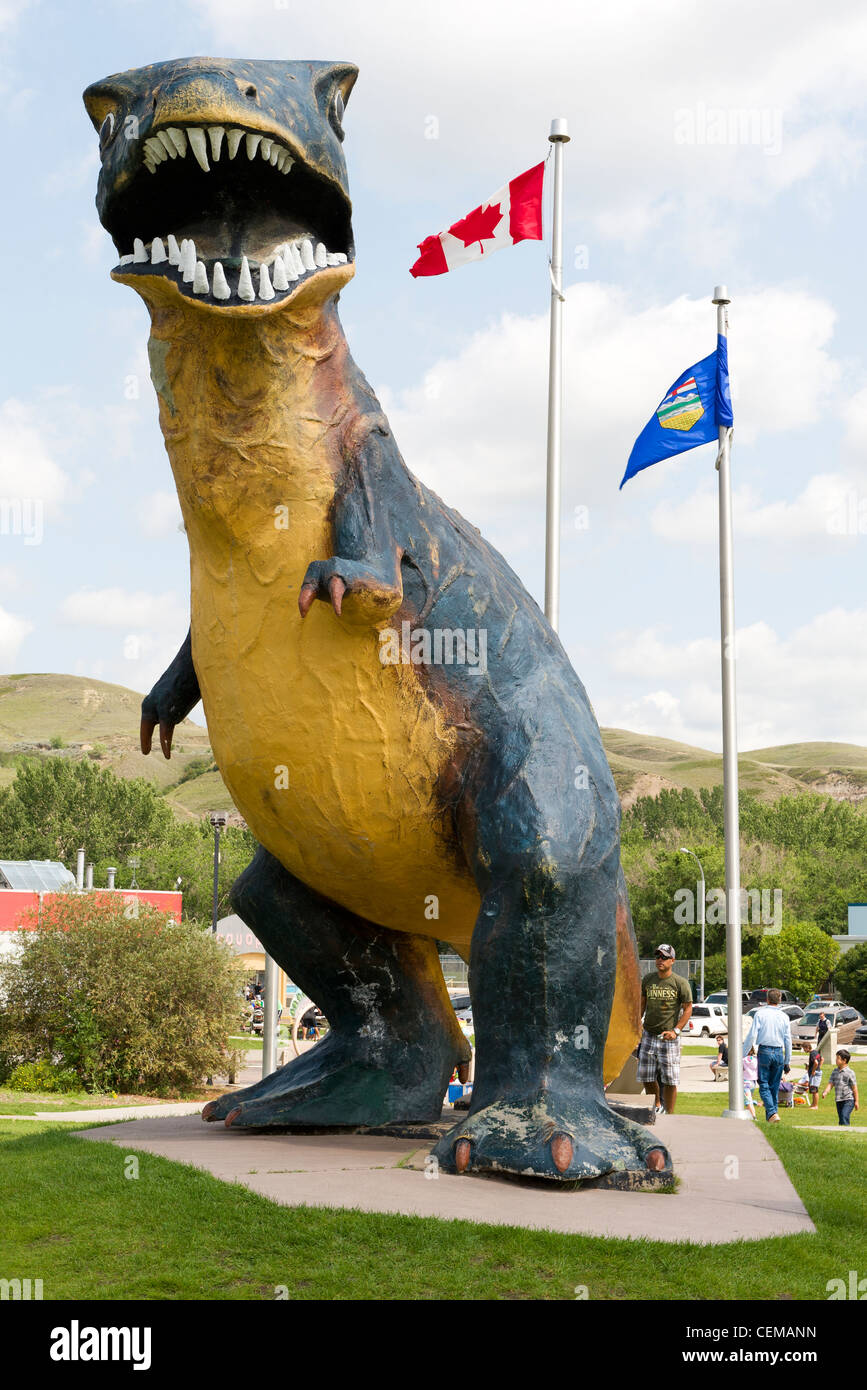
(230, 216)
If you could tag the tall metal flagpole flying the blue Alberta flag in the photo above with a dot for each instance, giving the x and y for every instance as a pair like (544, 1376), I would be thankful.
(730, 760)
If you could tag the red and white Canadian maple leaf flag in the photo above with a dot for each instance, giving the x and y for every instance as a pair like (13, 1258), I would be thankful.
(513, 215)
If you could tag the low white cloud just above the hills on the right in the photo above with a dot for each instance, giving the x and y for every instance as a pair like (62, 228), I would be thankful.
(807, 686)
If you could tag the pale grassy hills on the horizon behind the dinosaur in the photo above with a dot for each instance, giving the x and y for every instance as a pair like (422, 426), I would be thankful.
(92, 719)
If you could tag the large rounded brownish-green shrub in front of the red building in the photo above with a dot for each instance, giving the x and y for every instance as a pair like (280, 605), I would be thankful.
(119, 996)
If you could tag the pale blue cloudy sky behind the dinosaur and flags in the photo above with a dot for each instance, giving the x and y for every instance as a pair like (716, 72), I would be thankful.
(711, 145)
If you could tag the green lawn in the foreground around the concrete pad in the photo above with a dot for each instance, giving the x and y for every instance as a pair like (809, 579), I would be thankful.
(70, 1217)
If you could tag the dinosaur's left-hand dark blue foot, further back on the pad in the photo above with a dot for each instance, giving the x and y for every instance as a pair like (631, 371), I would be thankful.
(337, 1084)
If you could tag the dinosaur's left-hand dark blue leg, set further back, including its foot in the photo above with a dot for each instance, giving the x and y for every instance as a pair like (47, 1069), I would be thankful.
(394, 1039)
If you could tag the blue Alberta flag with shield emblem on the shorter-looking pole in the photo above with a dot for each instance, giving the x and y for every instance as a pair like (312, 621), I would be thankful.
(691, 414)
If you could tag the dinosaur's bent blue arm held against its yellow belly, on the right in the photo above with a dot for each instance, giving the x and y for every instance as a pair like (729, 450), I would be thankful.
(366, 568)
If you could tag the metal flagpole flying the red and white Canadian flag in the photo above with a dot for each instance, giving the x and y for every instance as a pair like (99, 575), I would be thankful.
(559, 137)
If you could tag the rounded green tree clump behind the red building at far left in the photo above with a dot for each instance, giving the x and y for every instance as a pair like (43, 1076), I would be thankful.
(56, 806)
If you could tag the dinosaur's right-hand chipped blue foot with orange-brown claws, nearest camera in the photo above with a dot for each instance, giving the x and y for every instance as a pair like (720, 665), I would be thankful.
(566, 1140)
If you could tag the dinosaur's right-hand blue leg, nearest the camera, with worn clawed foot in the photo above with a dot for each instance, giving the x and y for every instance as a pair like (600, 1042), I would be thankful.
(543, 976)
